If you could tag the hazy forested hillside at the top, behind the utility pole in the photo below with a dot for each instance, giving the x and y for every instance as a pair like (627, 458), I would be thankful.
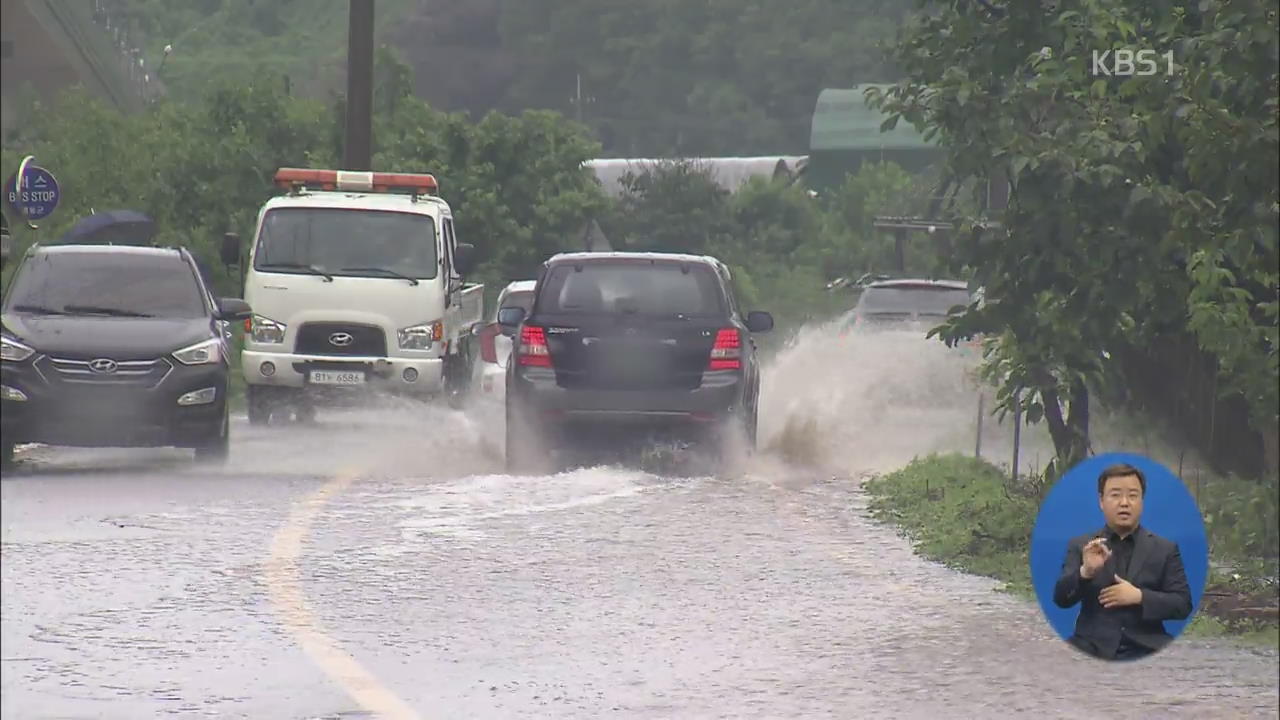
(708, 78)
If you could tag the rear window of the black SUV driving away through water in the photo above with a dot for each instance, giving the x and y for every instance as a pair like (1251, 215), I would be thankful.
(630, 288)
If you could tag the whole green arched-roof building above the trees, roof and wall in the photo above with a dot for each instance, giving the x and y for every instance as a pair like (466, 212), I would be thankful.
(845, 134)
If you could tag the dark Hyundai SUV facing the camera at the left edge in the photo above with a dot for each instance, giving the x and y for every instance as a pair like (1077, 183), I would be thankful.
(116, 347)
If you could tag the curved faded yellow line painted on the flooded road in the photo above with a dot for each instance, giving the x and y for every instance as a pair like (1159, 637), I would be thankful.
(286, 591)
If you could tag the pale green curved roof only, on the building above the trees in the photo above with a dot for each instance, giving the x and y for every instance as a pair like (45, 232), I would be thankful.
(844, 121)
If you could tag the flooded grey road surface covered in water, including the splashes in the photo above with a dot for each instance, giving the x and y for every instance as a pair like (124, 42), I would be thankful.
(383, 562)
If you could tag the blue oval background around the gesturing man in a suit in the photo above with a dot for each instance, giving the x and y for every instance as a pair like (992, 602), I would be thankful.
(1072, 511)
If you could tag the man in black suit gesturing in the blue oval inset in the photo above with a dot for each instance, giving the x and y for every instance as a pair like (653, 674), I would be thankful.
(1127, 580)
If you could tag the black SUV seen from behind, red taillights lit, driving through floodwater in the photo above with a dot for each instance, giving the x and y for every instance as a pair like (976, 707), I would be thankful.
(639, 343)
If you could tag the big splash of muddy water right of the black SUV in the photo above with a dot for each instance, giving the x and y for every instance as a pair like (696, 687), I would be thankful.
(853, 403)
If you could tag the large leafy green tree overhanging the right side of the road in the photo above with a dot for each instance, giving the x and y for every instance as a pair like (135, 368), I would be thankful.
(1142, 208)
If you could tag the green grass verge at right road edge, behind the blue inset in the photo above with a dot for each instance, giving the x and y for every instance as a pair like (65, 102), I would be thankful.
(970, 516)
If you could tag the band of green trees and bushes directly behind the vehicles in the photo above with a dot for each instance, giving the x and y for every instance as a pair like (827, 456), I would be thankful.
(516, 184)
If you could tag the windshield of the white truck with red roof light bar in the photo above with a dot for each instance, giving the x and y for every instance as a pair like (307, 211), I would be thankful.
(348, 243)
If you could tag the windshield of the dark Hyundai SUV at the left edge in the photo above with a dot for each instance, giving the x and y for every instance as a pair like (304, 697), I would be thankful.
(107, 284)
